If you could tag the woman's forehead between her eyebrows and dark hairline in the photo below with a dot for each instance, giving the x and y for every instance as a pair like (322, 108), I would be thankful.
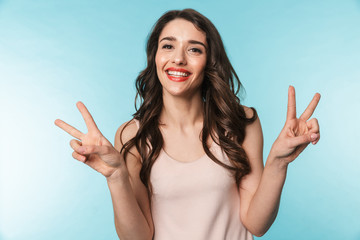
(182, 30)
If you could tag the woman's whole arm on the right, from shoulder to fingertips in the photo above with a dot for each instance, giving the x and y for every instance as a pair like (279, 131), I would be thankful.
(260, 191)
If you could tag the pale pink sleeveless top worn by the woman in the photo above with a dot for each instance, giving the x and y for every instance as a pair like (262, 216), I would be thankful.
(196, 200)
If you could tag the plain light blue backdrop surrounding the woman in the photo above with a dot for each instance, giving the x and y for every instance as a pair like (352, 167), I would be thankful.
(54, 53)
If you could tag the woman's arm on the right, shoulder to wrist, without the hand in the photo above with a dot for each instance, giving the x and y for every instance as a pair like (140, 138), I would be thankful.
(260, 191)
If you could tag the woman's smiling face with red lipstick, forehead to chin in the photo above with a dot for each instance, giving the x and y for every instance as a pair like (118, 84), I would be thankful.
(181, 58)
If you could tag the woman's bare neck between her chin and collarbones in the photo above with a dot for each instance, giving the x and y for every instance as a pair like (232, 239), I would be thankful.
(182, 112)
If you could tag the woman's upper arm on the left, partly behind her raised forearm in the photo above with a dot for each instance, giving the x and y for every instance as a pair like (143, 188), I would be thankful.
(133, 163)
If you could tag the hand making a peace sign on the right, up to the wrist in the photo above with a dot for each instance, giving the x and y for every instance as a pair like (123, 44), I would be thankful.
(297, 132)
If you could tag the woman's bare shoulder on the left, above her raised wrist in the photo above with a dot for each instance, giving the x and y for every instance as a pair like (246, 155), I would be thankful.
(124, 133)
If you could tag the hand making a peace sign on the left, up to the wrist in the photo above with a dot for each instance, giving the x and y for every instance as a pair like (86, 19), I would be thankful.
(93, 148)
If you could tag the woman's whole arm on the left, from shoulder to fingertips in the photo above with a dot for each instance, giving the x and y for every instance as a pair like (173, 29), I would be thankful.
(129, 196)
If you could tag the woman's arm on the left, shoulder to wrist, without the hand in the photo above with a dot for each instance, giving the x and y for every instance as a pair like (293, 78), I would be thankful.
(129, 195)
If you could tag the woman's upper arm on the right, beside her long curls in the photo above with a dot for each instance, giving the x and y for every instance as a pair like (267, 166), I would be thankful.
(253, 146)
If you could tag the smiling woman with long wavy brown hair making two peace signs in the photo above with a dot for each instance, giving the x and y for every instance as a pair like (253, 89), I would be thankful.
(189, 165)
